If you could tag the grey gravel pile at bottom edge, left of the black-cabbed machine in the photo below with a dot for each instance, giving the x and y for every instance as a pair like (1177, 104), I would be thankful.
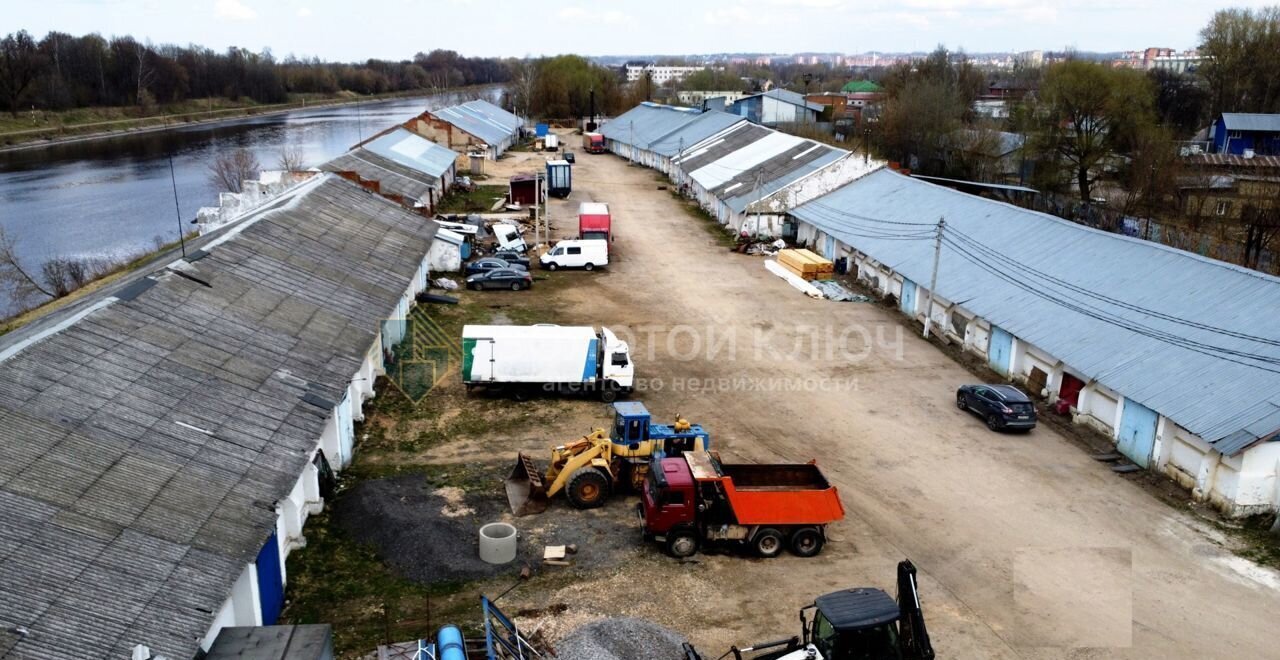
(621, 639)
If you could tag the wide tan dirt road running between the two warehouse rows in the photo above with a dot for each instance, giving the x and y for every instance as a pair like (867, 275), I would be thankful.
(1026, 547)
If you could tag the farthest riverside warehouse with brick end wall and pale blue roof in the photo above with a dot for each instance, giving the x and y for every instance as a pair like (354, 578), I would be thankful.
(474, 127)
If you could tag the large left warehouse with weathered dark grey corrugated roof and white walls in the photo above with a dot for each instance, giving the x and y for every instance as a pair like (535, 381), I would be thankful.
(167, 438)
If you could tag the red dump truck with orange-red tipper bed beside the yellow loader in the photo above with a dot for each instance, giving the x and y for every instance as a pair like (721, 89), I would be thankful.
(696, 499)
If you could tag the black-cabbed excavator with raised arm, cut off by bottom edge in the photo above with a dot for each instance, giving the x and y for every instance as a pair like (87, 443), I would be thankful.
(862, 624)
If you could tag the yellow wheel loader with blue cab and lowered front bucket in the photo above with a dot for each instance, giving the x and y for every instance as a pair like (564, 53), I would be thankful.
(589, 470)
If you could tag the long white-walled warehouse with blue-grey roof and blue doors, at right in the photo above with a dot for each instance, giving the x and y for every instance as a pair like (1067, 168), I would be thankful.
(1173, 355)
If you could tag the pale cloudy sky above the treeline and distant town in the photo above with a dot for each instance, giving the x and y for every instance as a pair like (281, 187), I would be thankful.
(354, 30)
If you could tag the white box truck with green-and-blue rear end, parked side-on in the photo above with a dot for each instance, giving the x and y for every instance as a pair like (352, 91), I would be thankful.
(552, 357)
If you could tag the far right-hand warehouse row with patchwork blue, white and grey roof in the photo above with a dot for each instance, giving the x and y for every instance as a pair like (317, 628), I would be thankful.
(744, 175)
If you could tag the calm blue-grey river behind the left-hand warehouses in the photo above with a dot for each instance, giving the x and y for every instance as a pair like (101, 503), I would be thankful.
(113, 198)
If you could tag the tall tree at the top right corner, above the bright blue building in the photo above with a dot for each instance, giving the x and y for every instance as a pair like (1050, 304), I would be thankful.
(1242, 67)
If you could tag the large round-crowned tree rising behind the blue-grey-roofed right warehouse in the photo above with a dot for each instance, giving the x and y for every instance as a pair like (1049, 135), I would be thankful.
(1089, 113)
